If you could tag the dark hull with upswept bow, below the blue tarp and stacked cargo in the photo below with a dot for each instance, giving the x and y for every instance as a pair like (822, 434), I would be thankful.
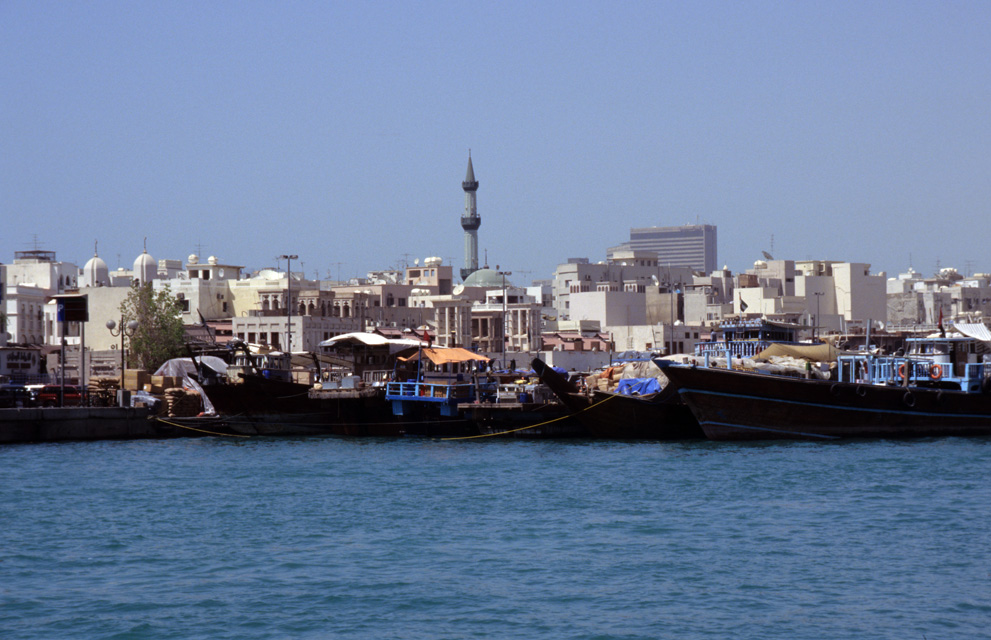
(659, 416)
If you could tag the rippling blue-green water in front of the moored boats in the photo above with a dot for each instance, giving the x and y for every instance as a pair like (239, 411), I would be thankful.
(417, 539)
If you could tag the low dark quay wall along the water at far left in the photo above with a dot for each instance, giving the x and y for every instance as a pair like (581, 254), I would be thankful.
(55, 424)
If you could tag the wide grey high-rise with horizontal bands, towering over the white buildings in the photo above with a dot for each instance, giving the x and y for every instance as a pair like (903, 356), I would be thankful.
(691, 246)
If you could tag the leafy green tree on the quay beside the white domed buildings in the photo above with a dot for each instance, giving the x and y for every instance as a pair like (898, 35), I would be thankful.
(159, 335)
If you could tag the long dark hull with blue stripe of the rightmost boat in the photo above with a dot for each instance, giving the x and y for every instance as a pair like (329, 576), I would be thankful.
(735, 405)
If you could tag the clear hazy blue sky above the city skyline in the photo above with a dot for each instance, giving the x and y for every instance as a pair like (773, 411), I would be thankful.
(339, 131)
